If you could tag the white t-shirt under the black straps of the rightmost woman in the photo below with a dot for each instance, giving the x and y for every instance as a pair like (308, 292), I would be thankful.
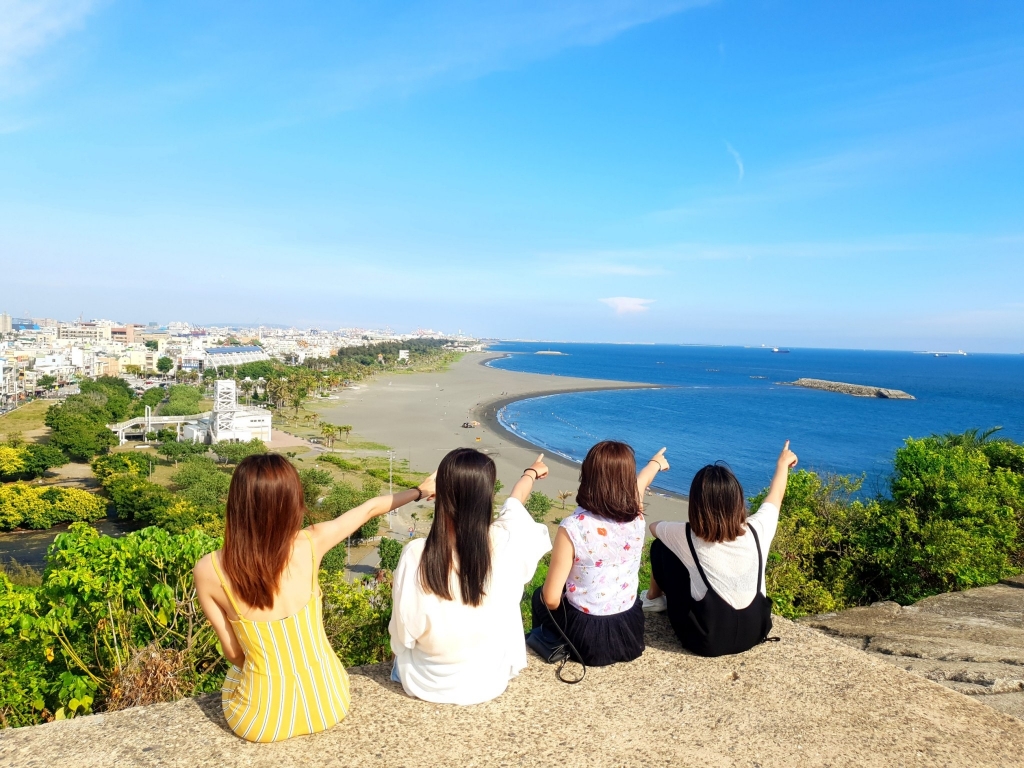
(732, 568)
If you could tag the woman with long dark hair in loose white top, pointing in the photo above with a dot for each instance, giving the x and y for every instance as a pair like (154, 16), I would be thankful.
(456, 627)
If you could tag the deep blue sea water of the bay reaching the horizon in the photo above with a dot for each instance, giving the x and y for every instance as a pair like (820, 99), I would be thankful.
(726, 404)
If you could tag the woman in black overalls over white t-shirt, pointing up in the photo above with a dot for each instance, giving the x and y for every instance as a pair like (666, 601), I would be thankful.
(709, 573)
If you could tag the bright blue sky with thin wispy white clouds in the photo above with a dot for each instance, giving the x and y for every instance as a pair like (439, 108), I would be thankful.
(842, 175)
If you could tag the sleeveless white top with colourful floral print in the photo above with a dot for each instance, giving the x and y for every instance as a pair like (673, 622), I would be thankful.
(607, 563)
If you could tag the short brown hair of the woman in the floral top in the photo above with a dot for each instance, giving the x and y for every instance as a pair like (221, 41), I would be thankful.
(609, 483)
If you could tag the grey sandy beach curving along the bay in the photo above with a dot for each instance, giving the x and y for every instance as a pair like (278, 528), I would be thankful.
(420, 416)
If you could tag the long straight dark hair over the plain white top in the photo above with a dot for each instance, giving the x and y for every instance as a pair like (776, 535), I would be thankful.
(463, 510)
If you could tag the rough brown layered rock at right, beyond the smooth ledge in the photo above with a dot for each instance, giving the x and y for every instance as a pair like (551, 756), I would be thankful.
(970, 642)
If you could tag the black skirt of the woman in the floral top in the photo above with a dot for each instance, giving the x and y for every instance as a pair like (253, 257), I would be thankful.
(601, 641)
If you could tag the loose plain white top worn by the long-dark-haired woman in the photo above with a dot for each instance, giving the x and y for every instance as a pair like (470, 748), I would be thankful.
(450, 653)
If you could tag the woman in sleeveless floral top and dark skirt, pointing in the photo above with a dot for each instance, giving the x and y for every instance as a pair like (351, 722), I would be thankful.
(591, 589)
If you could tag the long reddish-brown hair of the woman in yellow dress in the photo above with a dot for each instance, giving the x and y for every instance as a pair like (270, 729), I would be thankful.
(265, 513)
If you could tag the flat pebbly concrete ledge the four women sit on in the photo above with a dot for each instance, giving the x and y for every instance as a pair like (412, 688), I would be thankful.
(808, 701)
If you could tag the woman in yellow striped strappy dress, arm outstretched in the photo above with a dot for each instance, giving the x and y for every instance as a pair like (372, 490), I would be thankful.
(262, 595)
